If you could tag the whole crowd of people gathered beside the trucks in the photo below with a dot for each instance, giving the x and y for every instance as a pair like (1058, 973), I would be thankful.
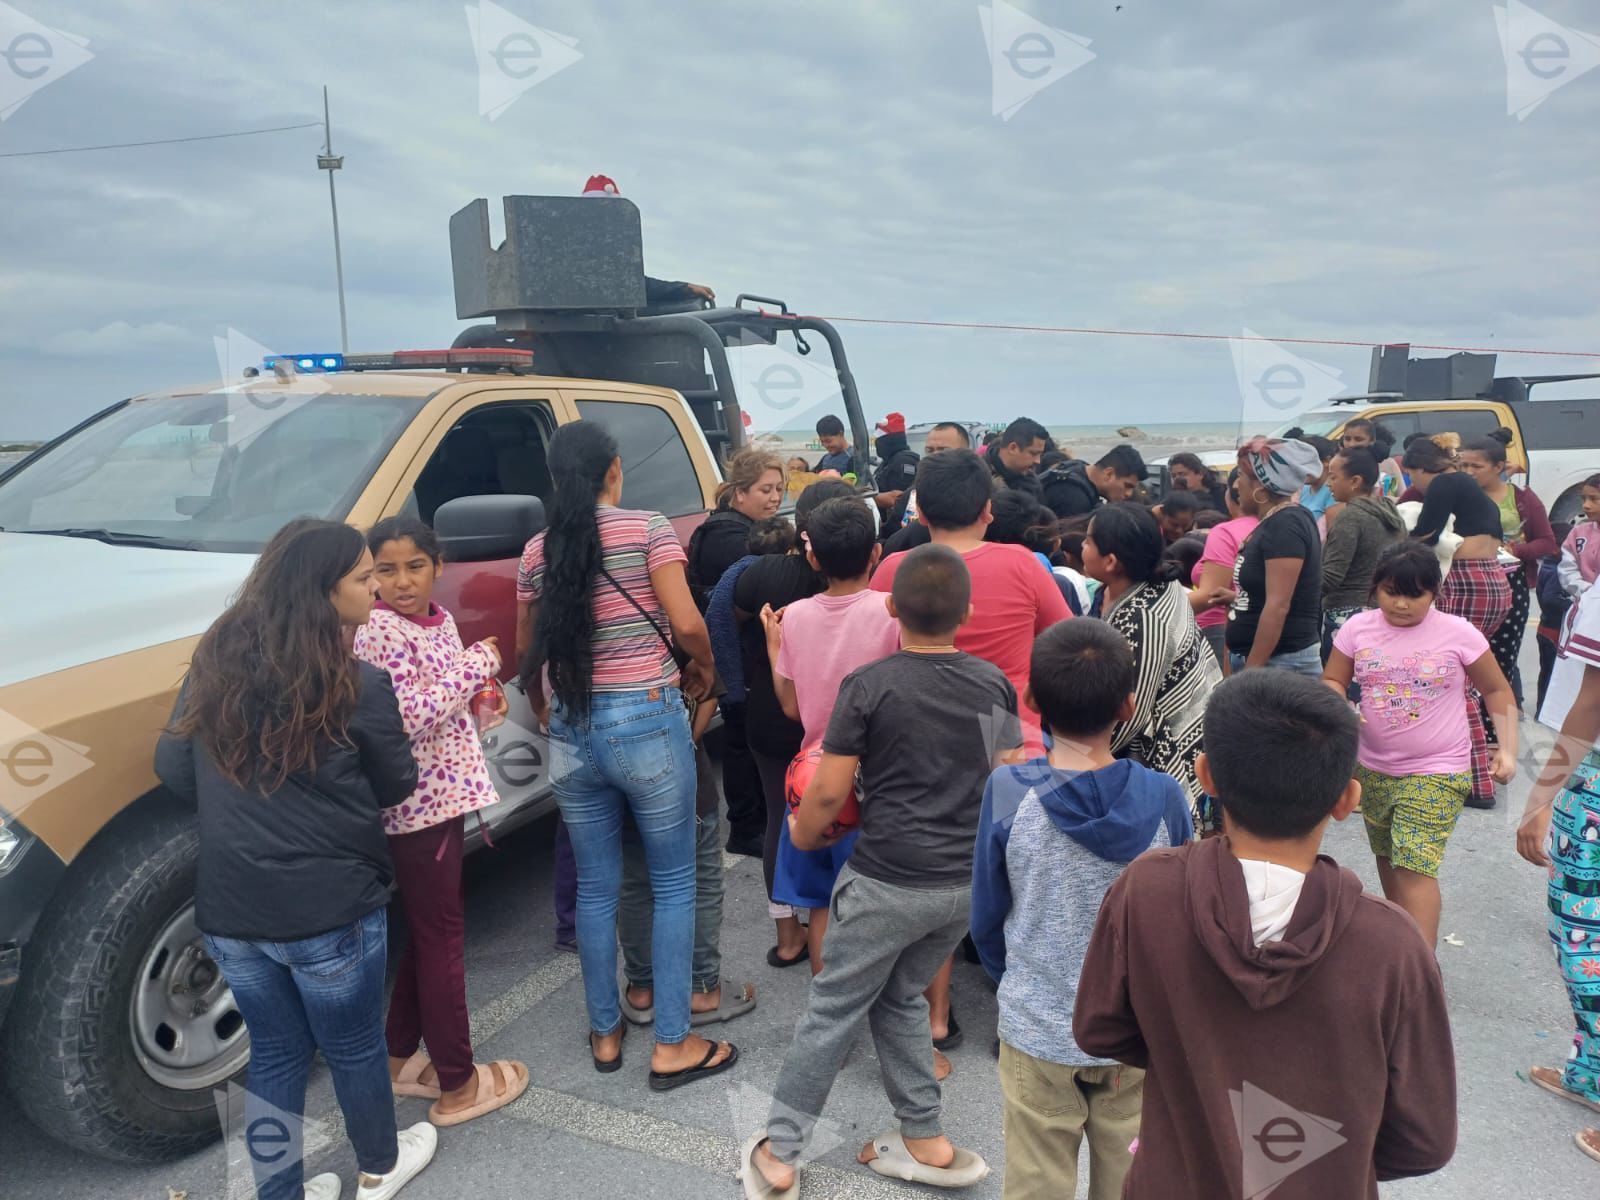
(937, 750)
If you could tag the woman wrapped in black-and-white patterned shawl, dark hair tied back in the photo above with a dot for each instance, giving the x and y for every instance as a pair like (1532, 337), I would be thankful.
(1148, 606)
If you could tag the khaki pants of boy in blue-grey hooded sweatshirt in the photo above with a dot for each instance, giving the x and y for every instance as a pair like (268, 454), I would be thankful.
(1049, 1108)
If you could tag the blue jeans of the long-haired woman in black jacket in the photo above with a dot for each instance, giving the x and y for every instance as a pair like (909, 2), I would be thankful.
(322, 993)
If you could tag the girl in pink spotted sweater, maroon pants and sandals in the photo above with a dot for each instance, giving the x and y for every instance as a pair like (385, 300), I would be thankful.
(434, 679)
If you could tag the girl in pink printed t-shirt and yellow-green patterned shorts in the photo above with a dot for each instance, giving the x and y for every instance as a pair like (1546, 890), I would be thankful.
(1415, 665)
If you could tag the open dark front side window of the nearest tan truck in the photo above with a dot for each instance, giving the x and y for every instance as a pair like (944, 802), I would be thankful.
(497, 450)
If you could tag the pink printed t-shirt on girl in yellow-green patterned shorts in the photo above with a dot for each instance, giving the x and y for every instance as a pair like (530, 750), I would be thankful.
(1414, 690)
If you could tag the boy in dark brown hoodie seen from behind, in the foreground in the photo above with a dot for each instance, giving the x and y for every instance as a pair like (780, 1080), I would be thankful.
(1292, 1028)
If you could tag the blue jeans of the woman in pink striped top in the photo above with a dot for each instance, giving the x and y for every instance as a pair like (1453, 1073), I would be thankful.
(634, 753)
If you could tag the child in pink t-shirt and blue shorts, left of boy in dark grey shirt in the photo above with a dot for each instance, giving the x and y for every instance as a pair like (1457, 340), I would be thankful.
(814, 644)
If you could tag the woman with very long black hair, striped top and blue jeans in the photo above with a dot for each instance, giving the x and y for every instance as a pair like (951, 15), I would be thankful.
(602, 588)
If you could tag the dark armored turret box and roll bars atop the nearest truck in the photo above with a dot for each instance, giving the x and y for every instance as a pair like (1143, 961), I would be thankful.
(569, 284)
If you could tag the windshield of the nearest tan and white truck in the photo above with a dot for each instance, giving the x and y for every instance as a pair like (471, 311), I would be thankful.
(218, 471)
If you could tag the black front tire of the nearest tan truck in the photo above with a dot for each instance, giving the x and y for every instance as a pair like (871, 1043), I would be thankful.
(103, 953)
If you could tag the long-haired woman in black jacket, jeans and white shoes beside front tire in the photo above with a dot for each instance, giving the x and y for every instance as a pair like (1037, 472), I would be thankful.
(289, 748)
